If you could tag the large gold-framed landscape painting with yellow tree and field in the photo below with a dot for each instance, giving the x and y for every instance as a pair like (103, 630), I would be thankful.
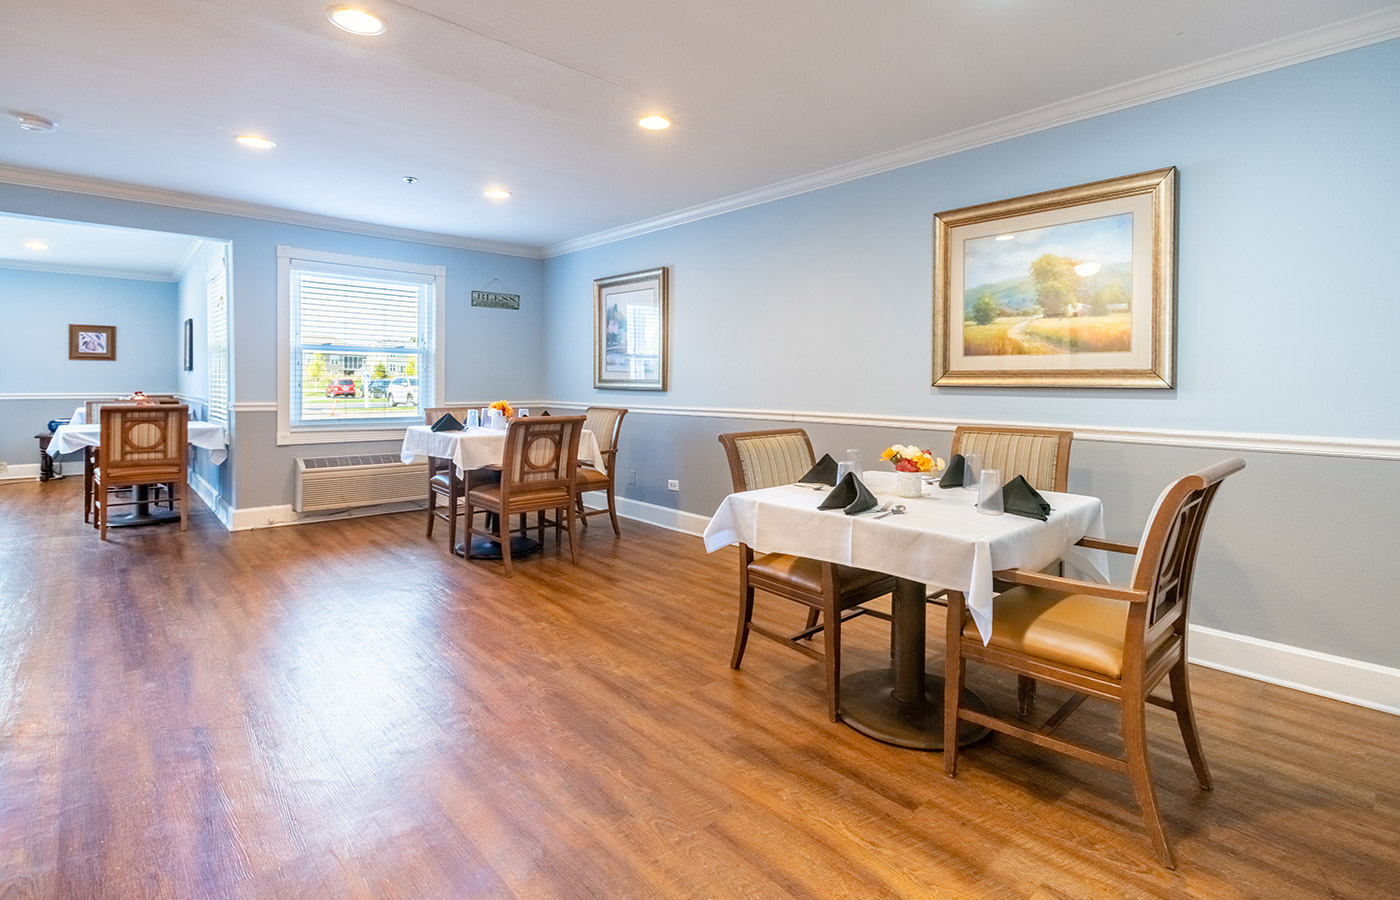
(1066, 289)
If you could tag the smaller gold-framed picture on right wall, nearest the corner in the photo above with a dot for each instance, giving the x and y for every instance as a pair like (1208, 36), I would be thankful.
(631, 331)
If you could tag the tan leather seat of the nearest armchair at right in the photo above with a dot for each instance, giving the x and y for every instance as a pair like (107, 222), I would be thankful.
(1074, 629)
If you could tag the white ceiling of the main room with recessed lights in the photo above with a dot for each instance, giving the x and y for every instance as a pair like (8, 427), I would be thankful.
(542, 97)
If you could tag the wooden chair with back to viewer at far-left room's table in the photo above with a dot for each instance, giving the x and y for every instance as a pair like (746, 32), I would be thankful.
(142, 447)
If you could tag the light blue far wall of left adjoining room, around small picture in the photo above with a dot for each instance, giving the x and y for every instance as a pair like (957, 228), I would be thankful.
(37, 309)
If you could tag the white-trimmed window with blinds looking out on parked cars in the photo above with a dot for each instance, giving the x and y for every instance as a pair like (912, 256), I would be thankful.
(351, 330)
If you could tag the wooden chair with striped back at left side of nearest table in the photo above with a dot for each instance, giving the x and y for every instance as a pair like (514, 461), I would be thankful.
(834, 594)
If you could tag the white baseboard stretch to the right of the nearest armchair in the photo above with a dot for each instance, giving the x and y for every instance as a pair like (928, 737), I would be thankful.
(1350, 681)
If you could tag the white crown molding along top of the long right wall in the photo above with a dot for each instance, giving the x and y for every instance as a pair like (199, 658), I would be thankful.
(1346, 36)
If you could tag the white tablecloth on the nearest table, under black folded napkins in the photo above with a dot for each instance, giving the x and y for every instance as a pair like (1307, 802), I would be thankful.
(941, 541)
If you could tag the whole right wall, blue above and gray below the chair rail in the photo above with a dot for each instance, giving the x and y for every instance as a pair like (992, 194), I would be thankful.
(820, 306)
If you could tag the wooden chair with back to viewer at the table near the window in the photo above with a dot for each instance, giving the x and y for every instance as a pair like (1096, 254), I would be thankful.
(540, 472)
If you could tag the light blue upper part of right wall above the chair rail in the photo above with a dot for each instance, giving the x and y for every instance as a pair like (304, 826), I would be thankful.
(1287, 314)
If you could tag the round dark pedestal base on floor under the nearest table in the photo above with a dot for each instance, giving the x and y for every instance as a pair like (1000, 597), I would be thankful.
(870, 708)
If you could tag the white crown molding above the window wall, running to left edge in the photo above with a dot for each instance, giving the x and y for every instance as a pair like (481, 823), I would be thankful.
(199, 204)
